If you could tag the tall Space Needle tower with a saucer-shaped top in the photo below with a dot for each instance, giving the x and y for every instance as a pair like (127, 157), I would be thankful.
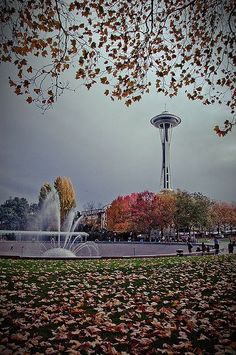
(165, 122)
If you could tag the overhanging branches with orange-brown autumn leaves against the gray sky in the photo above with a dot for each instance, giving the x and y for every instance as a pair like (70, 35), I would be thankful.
(127, 46)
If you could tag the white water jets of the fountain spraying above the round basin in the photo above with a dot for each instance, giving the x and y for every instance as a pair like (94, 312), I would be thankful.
(65, 242)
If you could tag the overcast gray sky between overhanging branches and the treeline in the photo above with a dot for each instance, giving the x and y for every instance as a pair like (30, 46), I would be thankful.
(108, 149)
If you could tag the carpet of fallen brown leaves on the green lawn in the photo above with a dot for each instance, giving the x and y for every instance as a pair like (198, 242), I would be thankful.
(141, 306)
